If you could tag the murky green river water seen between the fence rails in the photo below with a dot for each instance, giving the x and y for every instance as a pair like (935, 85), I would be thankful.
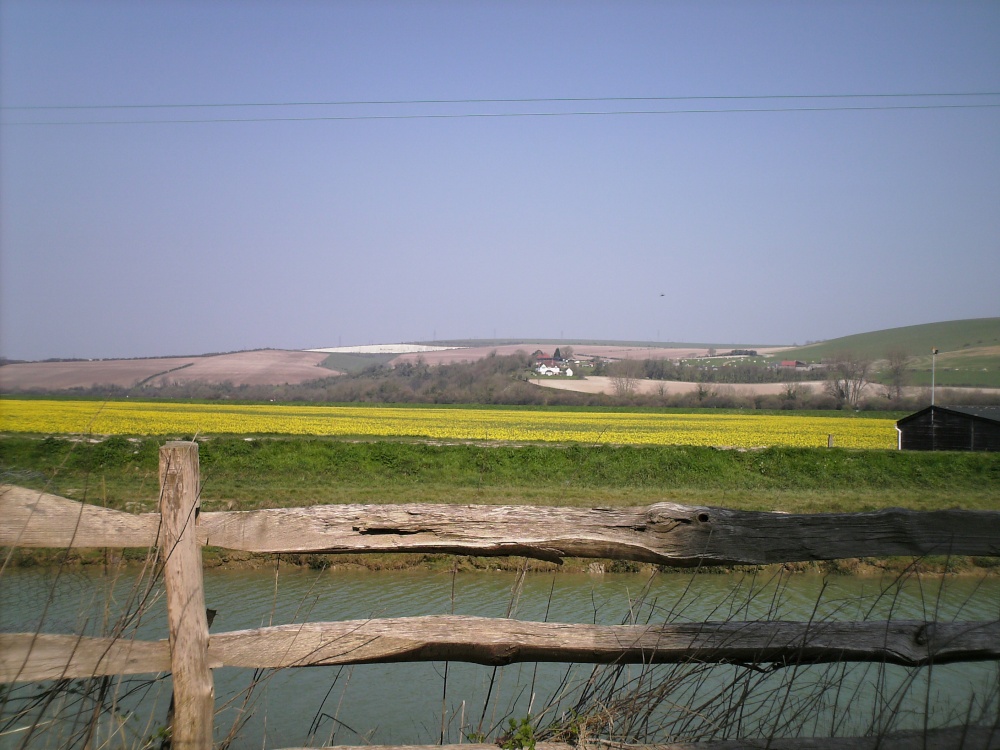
(425, 702)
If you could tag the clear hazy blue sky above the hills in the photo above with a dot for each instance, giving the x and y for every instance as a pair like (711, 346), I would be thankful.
(184, 230)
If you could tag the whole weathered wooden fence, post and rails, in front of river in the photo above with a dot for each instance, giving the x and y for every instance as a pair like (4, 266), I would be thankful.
(663, 533)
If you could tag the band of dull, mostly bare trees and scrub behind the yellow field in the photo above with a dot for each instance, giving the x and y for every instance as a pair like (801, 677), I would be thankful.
(505, 379)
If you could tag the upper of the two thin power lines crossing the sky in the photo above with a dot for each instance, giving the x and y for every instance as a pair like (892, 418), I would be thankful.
(400, 102)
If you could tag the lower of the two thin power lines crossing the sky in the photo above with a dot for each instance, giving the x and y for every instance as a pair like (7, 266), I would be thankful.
(472, 115)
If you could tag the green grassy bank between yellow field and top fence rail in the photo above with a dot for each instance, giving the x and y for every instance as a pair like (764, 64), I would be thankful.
(244, 474)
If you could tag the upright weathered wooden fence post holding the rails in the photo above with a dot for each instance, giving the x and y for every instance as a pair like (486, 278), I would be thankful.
(194, 690)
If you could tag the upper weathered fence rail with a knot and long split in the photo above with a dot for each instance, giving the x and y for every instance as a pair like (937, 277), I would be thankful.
(663, 533)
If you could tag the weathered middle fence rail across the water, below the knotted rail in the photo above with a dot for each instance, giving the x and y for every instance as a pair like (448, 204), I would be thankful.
(483, 640)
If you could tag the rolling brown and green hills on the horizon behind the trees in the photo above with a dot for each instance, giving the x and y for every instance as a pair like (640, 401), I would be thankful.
(969, 355)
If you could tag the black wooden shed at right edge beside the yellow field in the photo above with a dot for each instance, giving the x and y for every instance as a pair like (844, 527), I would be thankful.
(951, 428)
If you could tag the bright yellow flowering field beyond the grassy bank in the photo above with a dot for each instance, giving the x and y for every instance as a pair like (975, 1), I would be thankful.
(467, 423)
